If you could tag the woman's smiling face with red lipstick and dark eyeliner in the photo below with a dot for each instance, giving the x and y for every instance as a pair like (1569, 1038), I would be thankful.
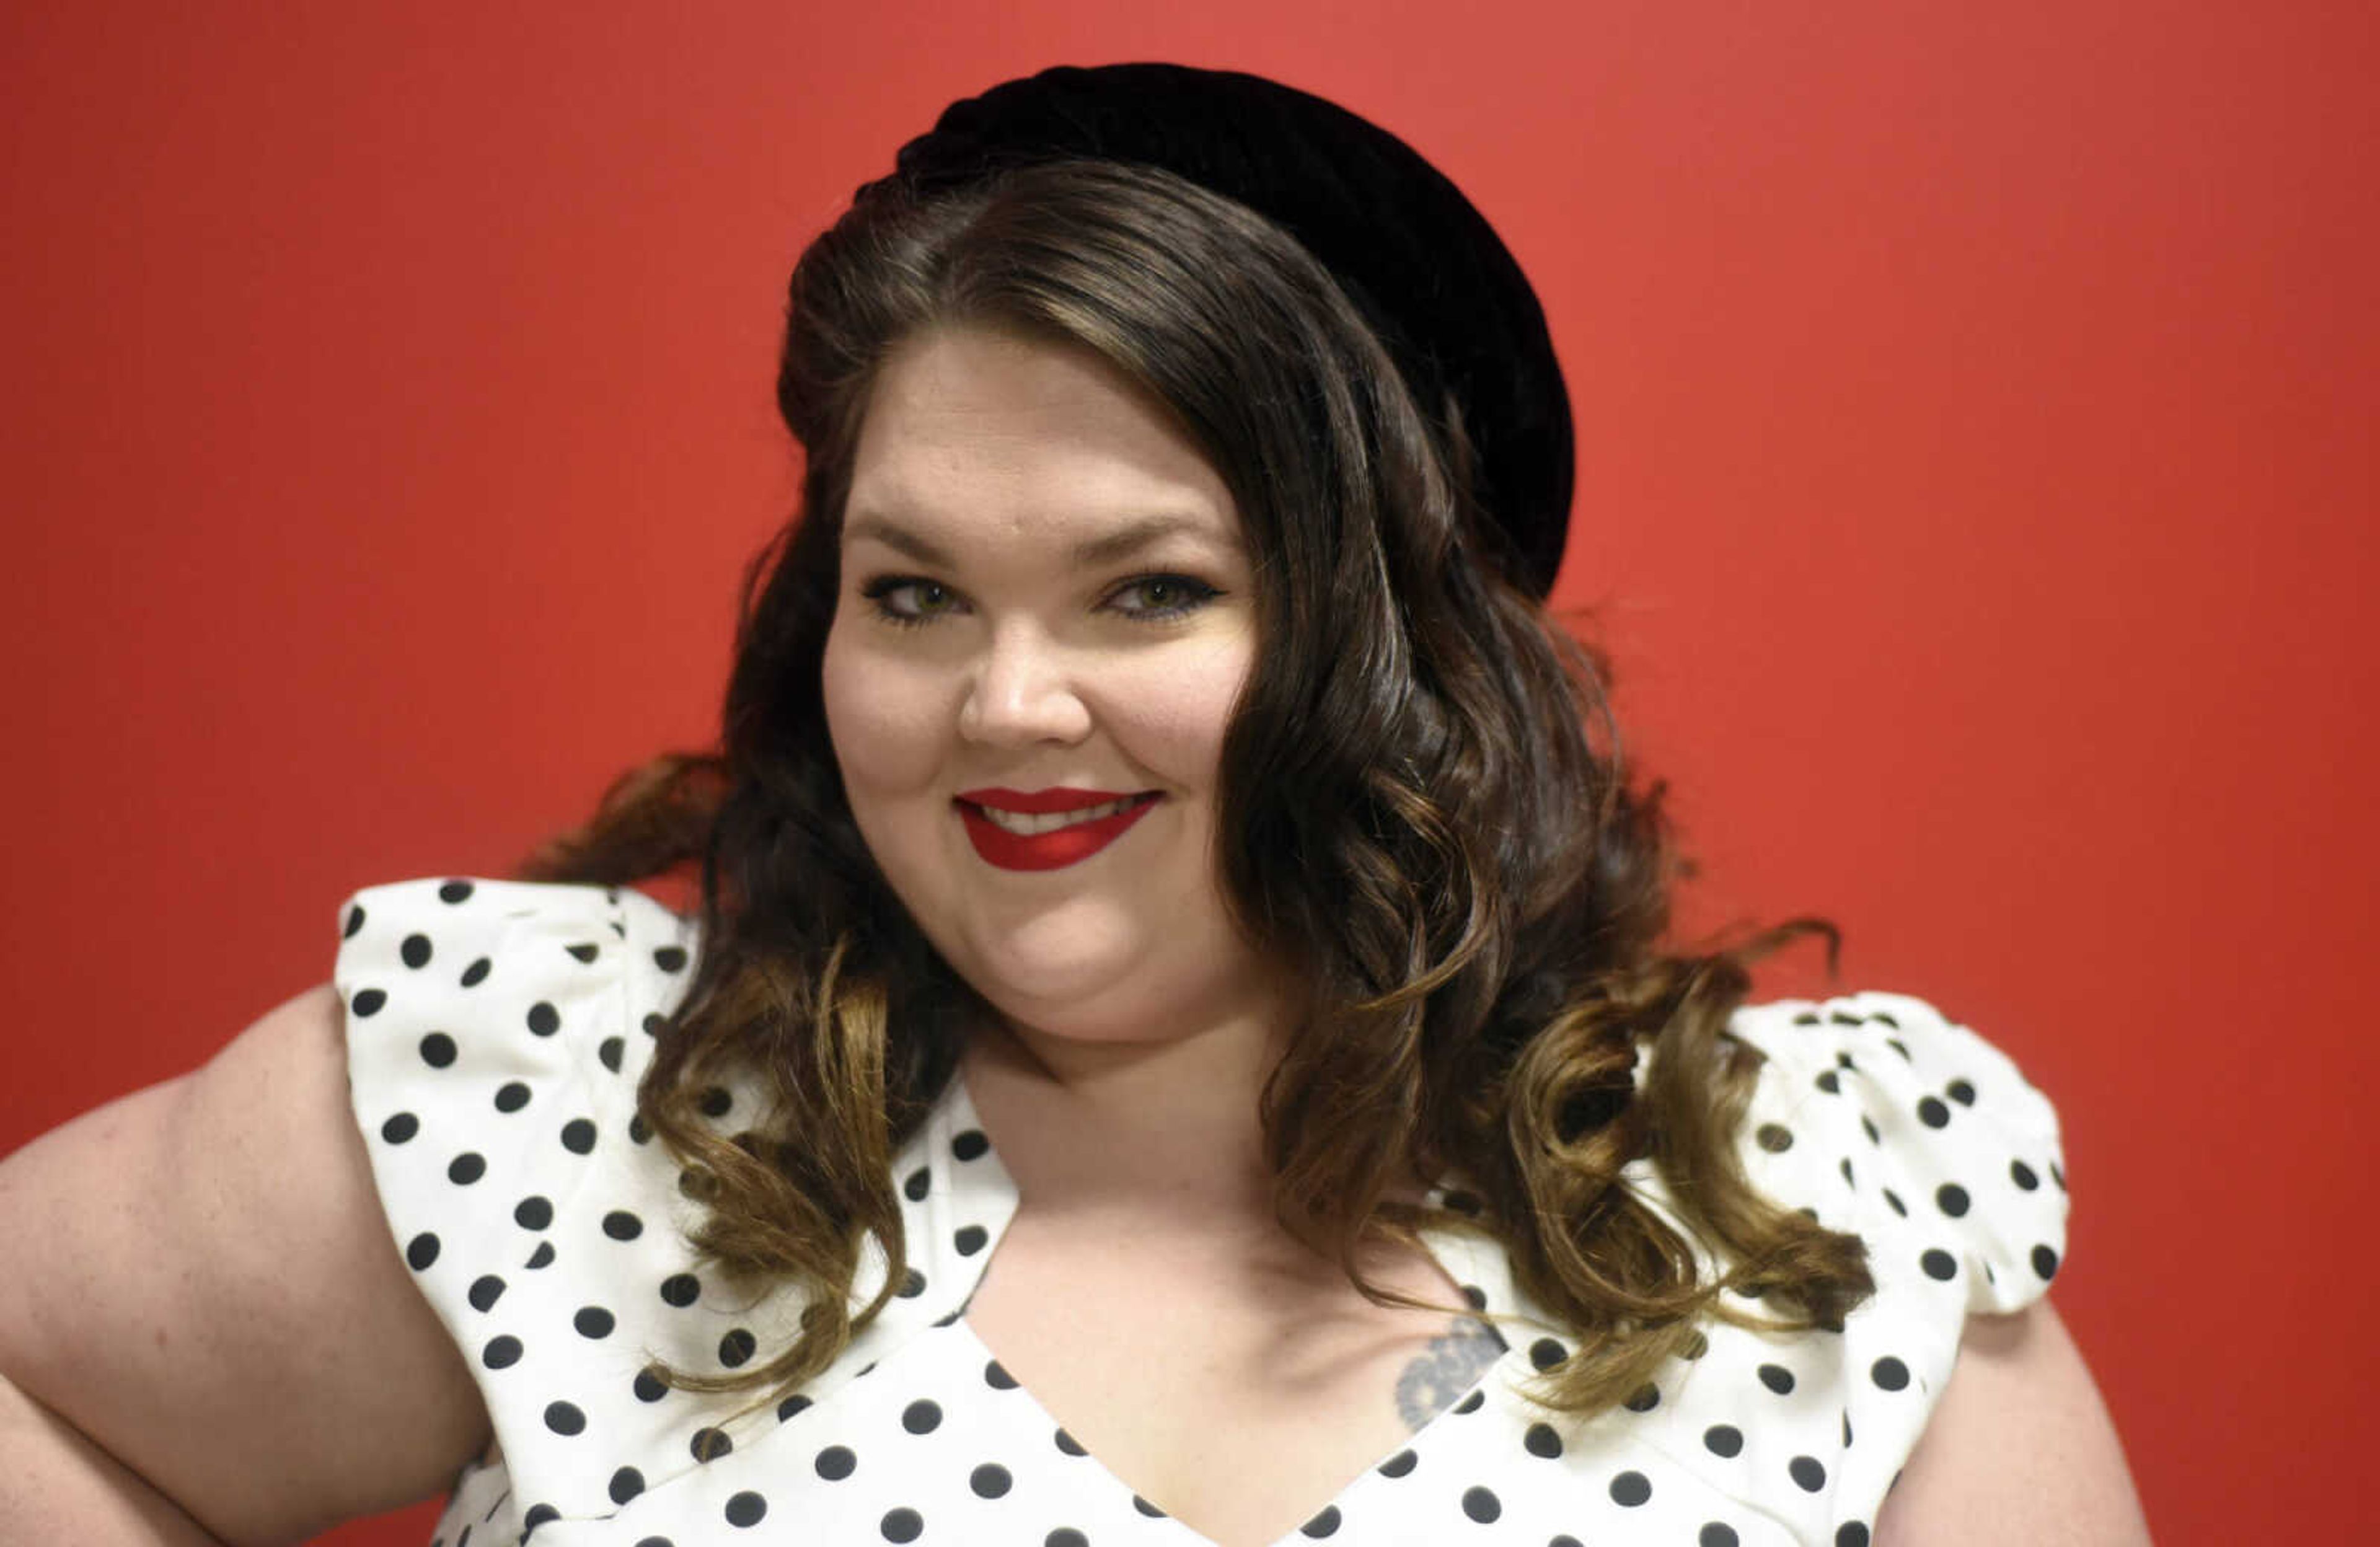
(1046, 606)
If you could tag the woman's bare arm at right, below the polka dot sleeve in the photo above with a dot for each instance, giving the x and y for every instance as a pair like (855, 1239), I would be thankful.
(2019, 1451)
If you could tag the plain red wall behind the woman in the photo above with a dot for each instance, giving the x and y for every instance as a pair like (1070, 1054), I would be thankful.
(1974, 487)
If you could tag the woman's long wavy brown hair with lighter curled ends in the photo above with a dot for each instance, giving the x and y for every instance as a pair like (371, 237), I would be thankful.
(1422, 789)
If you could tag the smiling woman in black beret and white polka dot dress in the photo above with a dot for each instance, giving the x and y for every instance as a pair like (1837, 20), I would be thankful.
(1177, 1044)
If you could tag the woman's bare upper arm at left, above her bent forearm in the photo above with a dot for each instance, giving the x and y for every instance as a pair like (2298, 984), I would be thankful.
(208, 1289)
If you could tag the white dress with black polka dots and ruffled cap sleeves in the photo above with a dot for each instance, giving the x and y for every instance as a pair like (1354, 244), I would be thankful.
(496, 1034)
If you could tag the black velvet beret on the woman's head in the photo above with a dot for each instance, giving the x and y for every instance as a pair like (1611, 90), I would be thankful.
(1408, 249)
